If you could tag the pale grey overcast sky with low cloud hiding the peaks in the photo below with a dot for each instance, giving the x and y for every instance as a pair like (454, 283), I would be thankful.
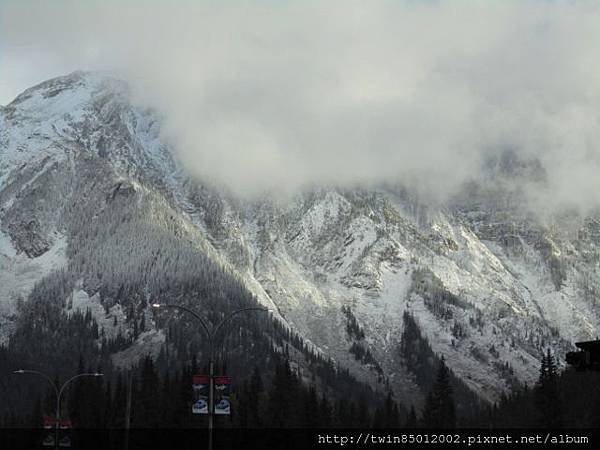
(280, 94)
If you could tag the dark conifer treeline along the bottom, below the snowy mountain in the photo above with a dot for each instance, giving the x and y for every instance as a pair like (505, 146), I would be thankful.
(281, 393)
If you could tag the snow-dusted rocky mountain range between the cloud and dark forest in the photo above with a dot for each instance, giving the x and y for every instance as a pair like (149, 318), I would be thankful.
(489, 284)
